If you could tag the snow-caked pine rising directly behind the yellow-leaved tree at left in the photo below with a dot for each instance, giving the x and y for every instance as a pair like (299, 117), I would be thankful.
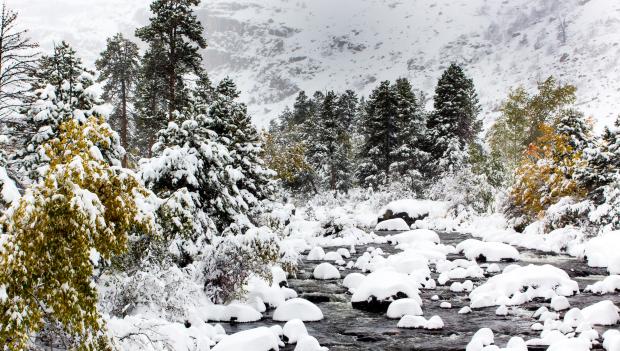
(62, 90)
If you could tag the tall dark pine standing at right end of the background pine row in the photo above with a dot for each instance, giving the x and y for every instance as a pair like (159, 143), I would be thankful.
(454, 121)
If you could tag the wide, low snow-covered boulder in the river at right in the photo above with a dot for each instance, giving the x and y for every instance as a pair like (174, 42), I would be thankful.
(518, 285)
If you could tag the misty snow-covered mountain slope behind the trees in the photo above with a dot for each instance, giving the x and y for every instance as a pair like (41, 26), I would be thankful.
(274, 48)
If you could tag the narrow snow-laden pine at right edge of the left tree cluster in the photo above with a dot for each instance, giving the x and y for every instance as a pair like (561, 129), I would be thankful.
(231, 123)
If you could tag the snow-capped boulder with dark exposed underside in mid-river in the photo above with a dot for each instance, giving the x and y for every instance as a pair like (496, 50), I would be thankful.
(380, 288)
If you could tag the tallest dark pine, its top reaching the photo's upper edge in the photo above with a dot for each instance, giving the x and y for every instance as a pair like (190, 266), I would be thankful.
(174, 35)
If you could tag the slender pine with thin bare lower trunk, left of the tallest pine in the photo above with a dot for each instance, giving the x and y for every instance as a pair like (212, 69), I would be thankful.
(119, 67)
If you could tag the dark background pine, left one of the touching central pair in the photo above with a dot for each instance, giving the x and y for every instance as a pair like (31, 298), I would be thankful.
(380, 137)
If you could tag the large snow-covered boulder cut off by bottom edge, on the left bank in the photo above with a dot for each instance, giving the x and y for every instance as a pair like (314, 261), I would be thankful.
(257, 339)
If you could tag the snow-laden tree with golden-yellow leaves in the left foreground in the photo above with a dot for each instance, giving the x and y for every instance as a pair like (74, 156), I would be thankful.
(81, 205)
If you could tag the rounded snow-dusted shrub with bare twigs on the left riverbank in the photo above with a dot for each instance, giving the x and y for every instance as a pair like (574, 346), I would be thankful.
(235, 258)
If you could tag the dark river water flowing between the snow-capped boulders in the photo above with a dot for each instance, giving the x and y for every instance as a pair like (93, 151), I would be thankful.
(345, 328)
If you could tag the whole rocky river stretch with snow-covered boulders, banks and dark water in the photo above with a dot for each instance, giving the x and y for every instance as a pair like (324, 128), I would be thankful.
(449, 287)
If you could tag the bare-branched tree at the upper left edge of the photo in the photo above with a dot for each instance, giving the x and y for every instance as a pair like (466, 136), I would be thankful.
(17, 62)
